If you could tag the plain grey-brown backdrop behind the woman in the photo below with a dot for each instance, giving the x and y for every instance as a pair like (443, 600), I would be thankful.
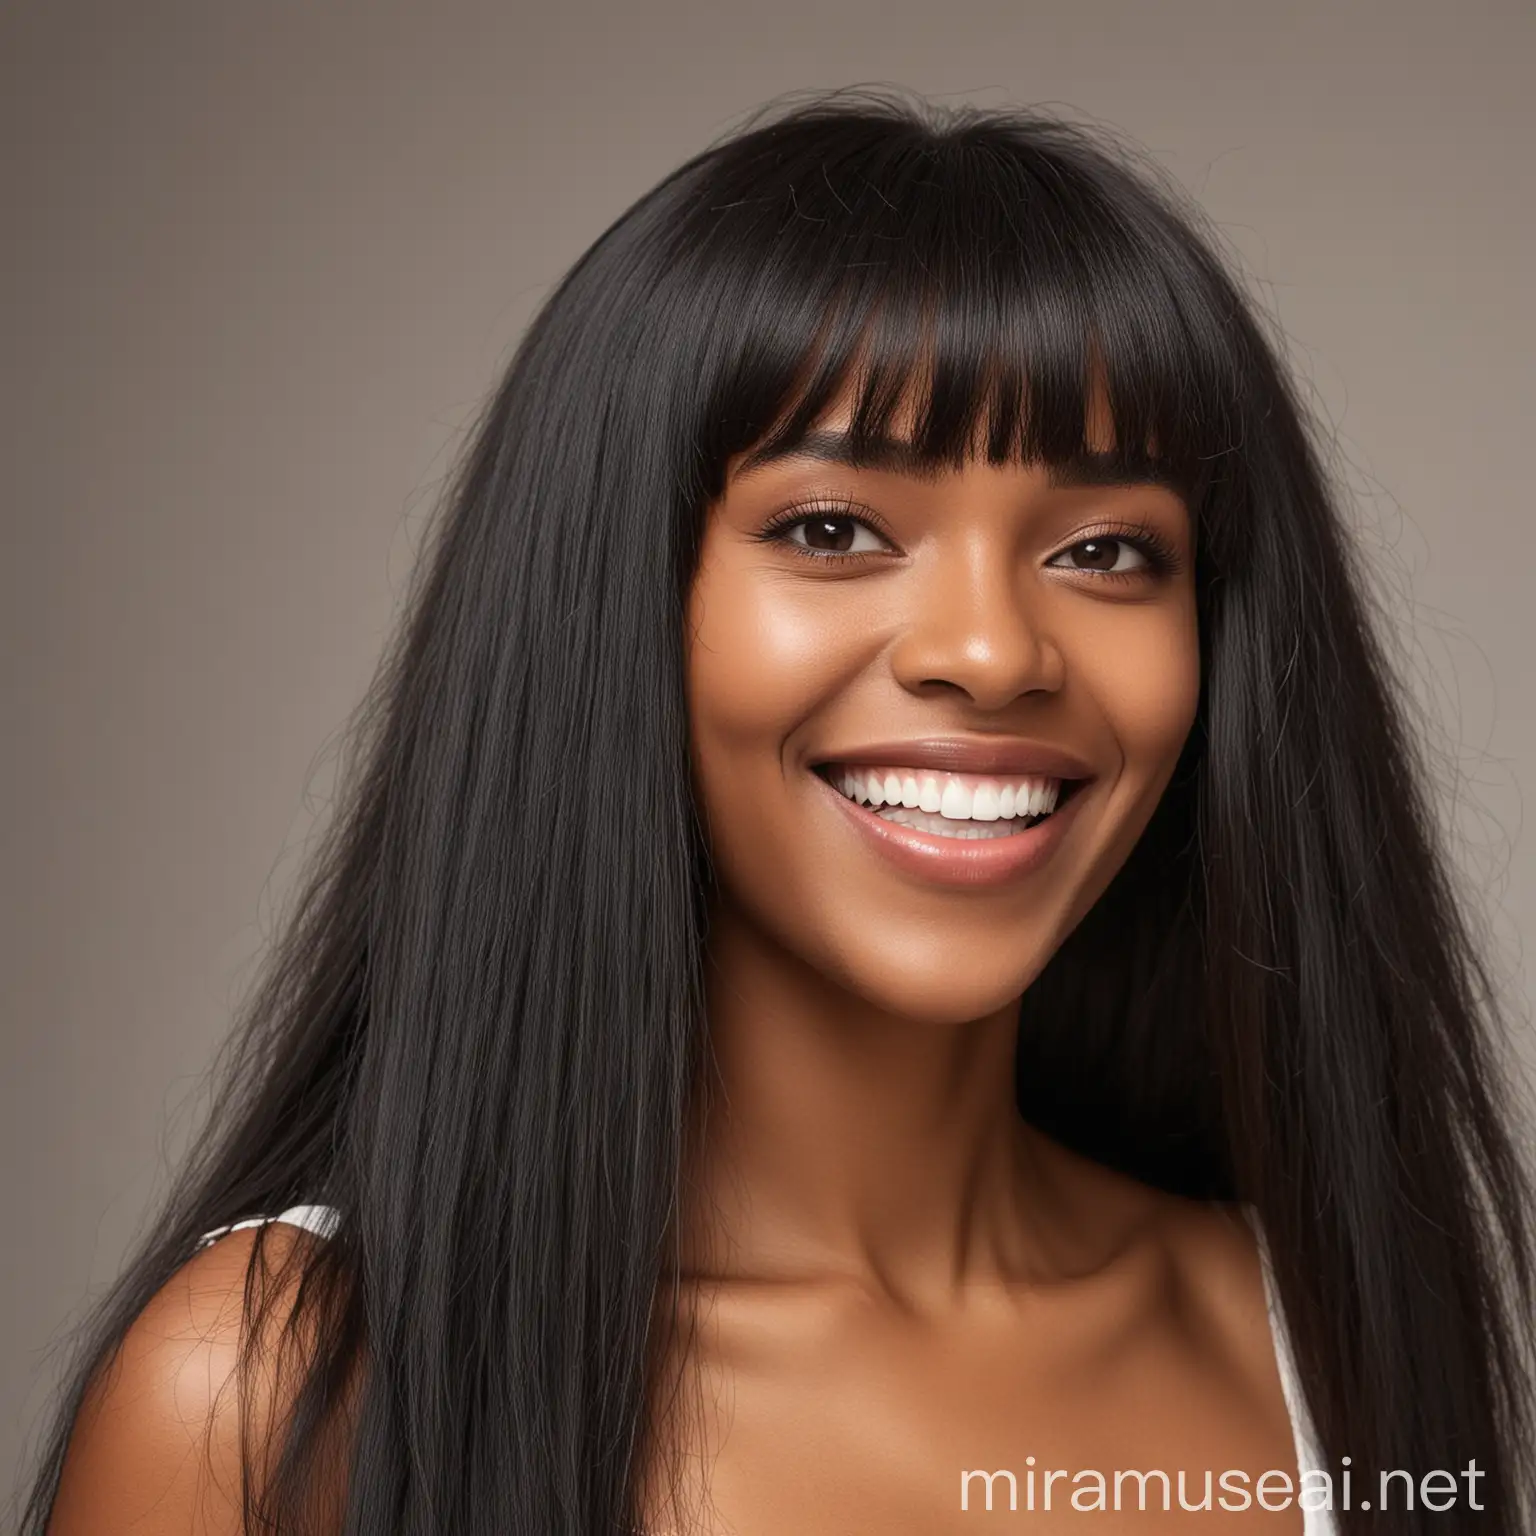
(260, 265)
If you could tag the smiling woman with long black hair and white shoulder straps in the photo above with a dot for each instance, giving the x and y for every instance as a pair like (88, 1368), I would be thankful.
(884, 870)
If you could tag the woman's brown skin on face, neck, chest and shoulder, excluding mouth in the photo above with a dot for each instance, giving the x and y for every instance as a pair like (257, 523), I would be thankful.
(890, 1277)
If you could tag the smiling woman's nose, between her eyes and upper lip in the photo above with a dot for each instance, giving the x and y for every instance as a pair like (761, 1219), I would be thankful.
(972, 629)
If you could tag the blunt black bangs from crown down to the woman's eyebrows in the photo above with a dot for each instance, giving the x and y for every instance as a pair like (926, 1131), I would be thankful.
(1004, 283)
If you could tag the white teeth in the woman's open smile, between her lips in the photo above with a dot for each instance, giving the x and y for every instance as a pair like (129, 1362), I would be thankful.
(956, 806)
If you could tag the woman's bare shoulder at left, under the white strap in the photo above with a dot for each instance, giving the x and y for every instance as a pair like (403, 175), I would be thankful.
(157, 1448)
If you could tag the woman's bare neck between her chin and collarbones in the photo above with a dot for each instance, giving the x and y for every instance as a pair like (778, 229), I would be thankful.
(841, 1140)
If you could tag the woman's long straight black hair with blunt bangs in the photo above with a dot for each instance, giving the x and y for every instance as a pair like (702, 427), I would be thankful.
(482, 1033)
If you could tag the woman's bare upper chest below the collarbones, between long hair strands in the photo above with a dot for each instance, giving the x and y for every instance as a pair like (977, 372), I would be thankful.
(1004, 1423)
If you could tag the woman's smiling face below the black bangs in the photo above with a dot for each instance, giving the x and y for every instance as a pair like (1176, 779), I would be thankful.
(892, 672)
